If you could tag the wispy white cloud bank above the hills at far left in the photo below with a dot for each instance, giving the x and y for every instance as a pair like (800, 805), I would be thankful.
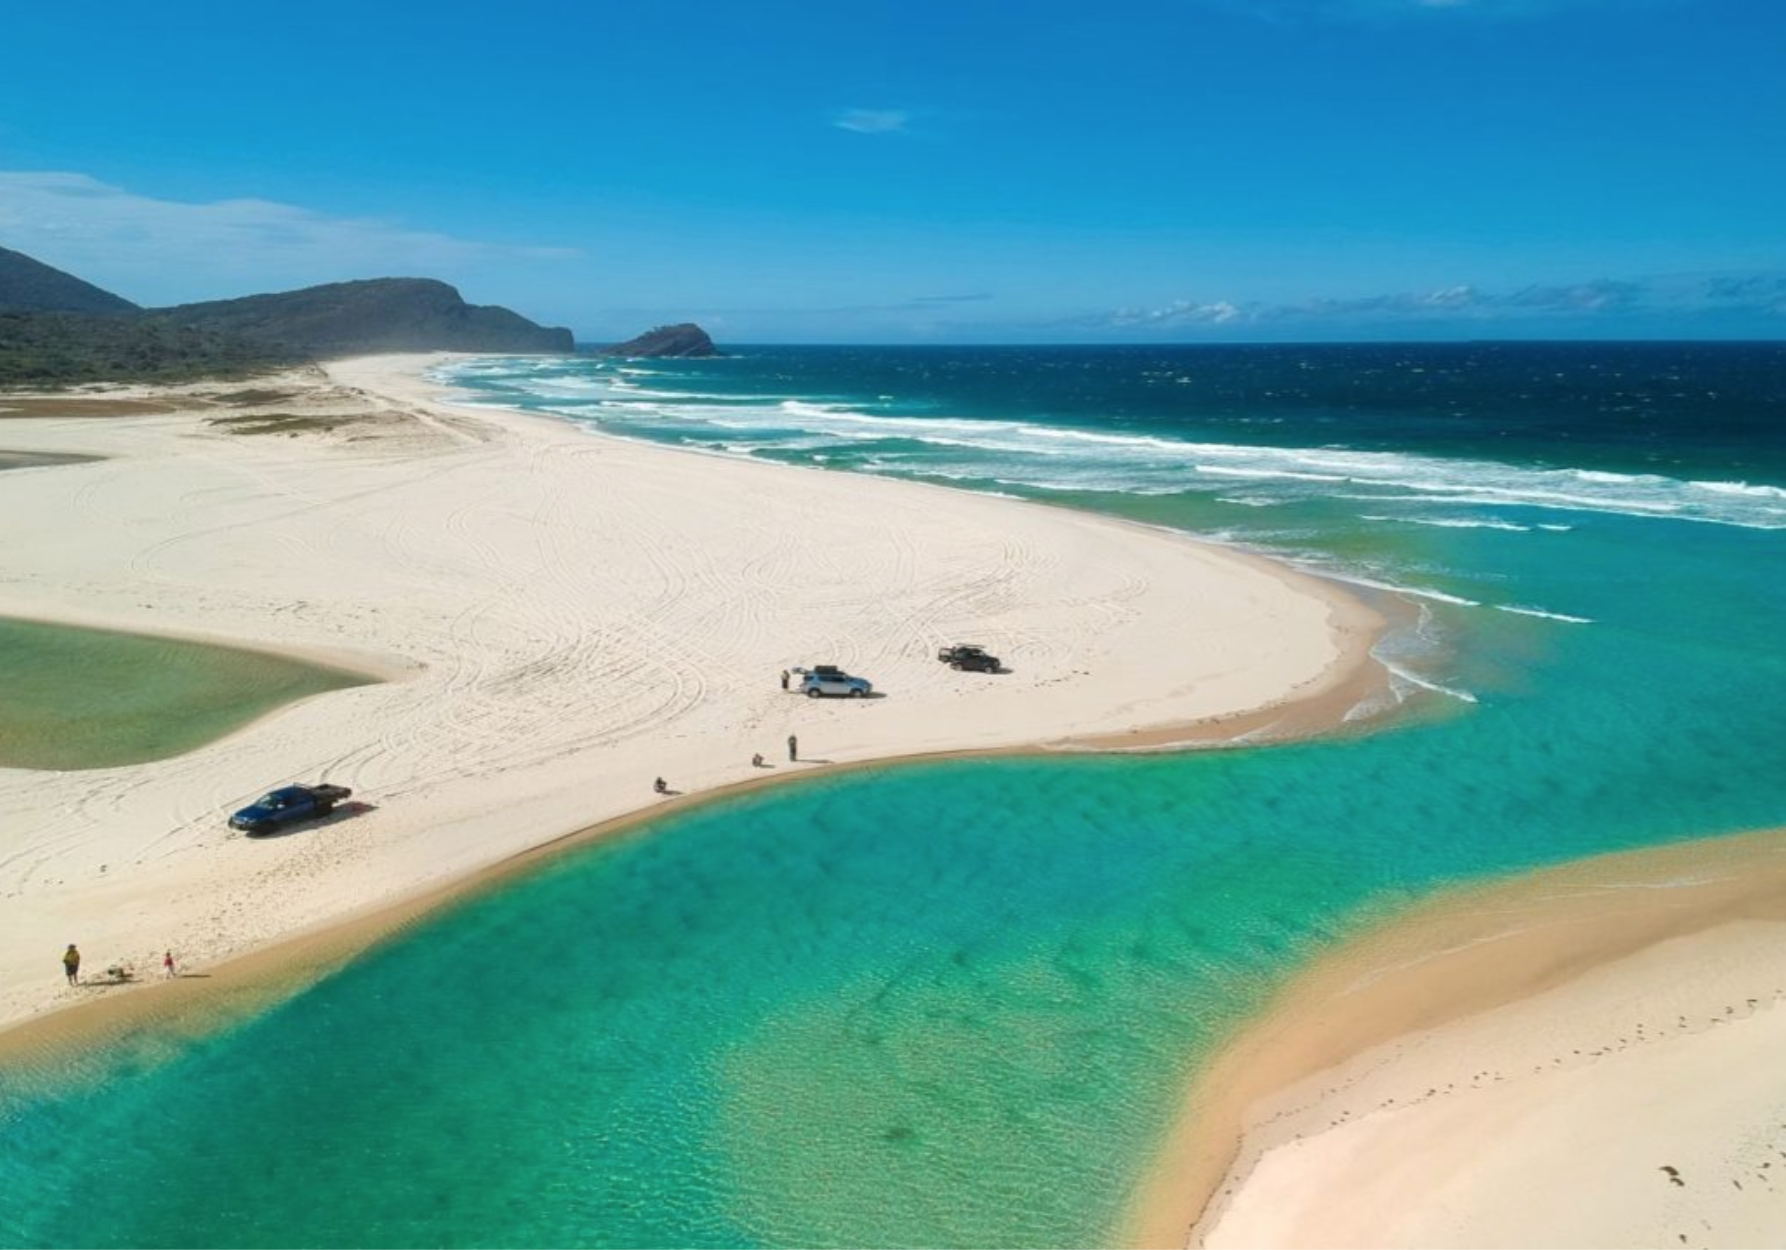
(171, 251)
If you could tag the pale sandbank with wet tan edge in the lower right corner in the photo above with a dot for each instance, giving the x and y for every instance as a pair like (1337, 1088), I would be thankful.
(1421, 1046)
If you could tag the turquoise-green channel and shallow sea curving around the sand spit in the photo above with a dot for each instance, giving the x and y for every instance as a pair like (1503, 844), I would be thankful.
(956, 1004)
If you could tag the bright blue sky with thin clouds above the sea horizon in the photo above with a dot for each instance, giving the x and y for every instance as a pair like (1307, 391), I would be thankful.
(976, 171)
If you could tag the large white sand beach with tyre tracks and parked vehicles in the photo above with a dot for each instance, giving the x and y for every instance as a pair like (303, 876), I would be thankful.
(562, 619)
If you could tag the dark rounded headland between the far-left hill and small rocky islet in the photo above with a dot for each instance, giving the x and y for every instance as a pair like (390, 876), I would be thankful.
(362, 319)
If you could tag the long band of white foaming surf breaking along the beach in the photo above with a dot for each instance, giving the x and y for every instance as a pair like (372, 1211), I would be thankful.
(1051, 458)
